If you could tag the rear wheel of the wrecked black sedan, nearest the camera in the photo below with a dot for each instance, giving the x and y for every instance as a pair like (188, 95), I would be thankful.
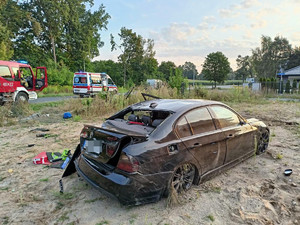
(183, 178)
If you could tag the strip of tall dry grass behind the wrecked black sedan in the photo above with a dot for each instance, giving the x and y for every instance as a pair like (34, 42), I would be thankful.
(106, 104)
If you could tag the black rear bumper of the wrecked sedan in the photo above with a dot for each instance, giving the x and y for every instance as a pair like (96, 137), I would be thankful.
(131, 189)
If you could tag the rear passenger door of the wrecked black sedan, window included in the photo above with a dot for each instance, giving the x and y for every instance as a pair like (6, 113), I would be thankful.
(198, 132)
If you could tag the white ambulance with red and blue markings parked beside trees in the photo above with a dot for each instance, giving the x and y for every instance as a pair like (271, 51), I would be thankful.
(90, 84)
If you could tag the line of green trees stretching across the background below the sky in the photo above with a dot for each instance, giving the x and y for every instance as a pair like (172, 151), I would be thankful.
(65, 35)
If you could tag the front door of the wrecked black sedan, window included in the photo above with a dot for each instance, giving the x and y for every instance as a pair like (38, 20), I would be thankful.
(239, 135)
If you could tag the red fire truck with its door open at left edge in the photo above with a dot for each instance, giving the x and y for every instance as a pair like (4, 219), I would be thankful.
(18, 82)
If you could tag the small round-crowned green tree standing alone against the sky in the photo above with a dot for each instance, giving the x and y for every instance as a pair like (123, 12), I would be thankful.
(216, 67)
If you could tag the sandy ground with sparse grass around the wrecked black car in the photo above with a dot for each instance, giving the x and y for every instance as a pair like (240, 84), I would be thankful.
(253, 192)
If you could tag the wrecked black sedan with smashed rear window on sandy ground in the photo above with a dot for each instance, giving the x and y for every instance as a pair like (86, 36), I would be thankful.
(143, 151)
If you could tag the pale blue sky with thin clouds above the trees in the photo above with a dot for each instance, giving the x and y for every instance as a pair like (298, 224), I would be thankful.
(189, 30)
